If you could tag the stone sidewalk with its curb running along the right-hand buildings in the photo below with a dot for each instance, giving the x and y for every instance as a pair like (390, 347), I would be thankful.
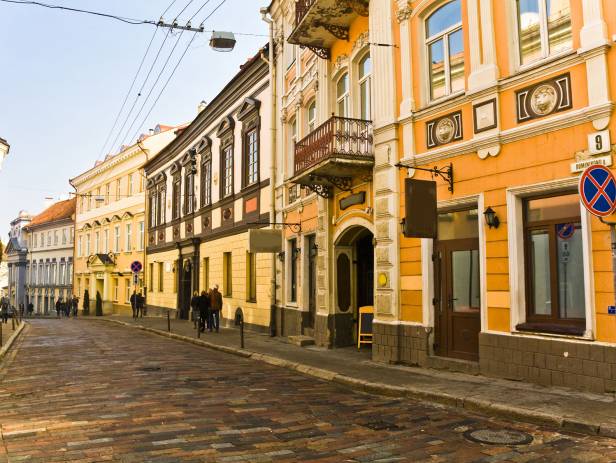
(559, 407)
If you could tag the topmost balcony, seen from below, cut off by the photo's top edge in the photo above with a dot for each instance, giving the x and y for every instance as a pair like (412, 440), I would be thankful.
(319, 23)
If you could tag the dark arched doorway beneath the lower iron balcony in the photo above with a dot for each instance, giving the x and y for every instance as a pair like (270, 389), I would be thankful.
(354, 281)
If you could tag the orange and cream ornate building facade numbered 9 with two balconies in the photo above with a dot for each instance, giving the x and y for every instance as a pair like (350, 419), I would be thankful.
(509, 101)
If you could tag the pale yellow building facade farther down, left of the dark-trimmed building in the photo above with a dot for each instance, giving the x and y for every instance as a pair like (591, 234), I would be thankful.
(110, 225)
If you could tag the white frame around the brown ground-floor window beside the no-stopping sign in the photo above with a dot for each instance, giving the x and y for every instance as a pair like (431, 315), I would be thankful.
(515, 231)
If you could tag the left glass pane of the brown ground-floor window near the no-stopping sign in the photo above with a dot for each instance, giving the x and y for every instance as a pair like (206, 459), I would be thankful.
(540, 272)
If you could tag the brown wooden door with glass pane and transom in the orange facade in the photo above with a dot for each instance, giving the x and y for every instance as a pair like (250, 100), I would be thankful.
(457, 287)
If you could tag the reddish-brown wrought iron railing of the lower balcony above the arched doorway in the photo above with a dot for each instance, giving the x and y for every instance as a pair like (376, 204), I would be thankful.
(338, 137)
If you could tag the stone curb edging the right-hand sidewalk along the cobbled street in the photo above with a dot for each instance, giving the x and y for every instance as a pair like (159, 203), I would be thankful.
(409, 392)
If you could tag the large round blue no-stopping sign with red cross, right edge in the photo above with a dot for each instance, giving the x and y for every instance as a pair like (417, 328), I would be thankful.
(598, 190)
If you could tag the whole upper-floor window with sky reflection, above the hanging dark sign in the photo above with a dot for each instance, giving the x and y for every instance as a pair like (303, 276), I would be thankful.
(445, 48)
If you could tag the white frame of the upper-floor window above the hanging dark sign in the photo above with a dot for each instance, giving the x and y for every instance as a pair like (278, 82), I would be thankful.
(444, 34)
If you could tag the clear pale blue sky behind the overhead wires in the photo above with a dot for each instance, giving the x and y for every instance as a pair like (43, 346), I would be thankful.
(63, 77)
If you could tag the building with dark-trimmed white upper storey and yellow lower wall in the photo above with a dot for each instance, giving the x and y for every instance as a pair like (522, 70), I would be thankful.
(206, 193)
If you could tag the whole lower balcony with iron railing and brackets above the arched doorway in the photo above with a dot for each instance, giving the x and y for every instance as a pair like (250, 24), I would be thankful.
(334, 153)
